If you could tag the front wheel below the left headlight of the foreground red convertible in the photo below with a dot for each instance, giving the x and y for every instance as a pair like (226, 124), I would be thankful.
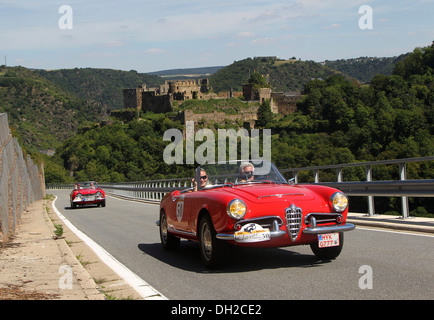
(212, 250)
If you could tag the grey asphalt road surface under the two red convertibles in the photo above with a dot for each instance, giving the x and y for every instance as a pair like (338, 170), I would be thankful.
(374, 264)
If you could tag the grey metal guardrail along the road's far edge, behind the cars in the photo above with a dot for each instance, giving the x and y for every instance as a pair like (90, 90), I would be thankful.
(155, 190)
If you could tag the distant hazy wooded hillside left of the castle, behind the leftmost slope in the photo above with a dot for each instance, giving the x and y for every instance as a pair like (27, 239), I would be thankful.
(101, 85)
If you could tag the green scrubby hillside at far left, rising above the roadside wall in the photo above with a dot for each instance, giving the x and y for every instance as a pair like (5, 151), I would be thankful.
(41, 113)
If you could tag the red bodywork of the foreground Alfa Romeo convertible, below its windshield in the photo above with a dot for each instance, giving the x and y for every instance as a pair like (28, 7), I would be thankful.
(289, 214)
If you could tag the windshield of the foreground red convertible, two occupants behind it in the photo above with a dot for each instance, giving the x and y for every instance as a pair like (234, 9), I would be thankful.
(239, 172)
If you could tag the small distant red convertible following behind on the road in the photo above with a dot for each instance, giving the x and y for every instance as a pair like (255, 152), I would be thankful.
(86, 193)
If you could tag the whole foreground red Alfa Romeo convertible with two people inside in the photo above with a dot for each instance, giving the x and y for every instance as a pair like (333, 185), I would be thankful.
(236, 203)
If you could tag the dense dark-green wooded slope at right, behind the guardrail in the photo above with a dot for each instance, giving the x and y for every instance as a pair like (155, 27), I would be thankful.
(342, 122)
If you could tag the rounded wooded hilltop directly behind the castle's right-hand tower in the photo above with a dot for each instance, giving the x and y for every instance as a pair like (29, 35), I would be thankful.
(283, 75)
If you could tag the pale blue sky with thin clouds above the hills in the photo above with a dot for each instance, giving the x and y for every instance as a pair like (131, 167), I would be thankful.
(157, 35)
